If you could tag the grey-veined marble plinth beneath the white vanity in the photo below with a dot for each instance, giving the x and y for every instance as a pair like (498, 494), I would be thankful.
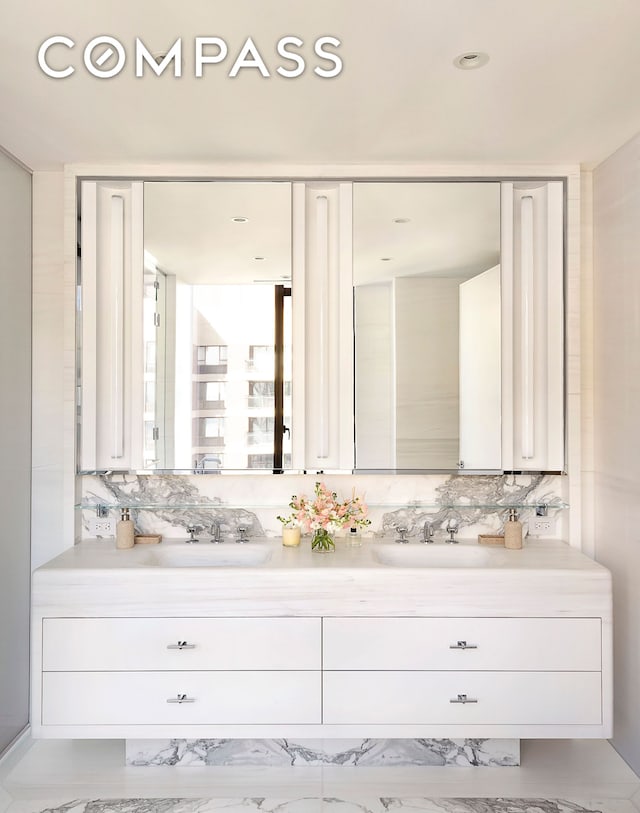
(365, 753)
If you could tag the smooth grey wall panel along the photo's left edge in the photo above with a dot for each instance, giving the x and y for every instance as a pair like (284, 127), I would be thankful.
(15, 445)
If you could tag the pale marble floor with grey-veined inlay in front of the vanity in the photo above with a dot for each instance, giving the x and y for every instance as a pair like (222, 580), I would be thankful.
(556, 776)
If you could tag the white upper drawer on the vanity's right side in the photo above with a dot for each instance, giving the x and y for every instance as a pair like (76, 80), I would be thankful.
(439, 643)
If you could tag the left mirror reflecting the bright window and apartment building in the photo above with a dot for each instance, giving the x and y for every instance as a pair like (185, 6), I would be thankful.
(217, 326)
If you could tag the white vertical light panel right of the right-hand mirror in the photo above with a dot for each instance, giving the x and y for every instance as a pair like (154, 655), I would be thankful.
(532, 262)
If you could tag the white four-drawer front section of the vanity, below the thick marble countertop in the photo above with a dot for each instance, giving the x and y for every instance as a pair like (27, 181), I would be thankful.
(331, 676)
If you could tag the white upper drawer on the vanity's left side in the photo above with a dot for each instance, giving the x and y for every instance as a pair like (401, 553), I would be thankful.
(102, 644)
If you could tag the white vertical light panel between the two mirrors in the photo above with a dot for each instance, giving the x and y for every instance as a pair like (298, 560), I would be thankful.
(322, 326)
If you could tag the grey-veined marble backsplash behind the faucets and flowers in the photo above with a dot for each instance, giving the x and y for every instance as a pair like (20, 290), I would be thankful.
(171, 503)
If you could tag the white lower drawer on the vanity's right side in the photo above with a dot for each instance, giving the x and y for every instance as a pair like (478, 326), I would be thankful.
(503, 698)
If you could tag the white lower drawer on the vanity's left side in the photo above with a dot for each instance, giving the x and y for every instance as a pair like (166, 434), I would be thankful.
(140, 698)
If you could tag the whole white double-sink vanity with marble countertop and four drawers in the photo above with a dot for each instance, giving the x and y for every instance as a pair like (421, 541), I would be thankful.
(260, 640)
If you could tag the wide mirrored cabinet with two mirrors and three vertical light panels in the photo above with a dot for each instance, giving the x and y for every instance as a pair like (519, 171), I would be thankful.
(267, 327)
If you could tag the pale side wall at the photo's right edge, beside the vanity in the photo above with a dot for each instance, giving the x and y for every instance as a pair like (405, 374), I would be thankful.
(616, 304)
